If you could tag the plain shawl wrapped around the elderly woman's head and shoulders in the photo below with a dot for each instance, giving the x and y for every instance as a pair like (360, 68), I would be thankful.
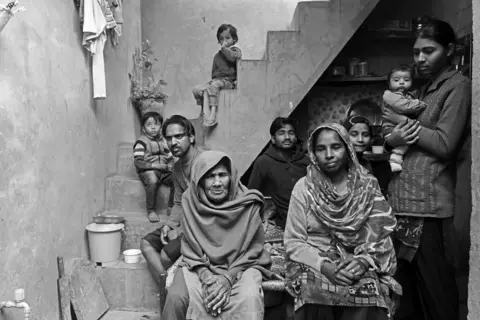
(224, 237)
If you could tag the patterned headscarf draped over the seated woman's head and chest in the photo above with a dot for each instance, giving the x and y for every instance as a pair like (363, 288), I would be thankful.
(347, 212)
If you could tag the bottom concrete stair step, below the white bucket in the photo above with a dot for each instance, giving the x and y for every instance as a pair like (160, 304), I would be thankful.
(129, 287)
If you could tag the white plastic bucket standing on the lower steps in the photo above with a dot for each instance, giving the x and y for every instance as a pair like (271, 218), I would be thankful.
(104, 241)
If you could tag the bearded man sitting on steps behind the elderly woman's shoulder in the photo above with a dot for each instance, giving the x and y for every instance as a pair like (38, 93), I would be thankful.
(161, 248)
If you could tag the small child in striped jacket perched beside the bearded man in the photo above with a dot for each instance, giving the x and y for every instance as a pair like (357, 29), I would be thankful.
(153, 161)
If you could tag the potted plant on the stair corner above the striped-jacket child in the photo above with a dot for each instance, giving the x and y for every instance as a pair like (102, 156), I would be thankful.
(146, 93)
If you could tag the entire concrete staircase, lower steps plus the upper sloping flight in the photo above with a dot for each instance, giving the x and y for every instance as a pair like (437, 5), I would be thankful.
(293, 62)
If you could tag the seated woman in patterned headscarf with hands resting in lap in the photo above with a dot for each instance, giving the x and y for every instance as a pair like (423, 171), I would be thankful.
(337, 237)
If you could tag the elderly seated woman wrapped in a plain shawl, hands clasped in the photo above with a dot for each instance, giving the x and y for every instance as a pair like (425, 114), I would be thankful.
(222, 247)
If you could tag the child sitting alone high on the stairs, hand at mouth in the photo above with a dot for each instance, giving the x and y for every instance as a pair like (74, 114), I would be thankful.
(224, 73)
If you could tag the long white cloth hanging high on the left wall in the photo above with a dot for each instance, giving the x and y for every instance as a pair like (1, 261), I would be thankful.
(94, 38)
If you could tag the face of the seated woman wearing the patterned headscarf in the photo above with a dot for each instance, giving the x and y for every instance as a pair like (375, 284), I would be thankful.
(330, 151)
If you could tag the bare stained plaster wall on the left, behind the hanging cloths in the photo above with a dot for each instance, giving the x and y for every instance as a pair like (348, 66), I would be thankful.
(57, 145)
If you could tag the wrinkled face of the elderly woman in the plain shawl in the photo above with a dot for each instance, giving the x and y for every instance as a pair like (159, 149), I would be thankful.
(216, 184)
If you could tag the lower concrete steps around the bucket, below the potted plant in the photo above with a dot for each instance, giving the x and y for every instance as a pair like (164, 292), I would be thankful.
(131, 291)
